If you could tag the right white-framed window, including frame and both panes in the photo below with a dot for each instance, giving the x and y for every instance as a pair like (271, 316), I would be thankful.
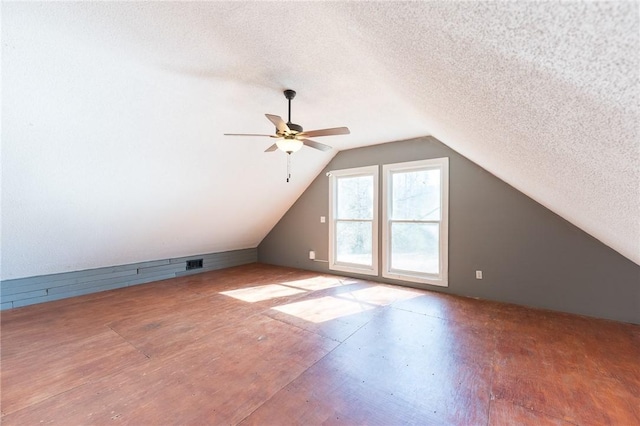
(415, 227)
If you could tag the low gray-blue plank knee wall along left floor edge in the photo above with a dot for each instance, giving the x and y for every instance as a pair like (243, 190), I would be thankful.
(46, 288)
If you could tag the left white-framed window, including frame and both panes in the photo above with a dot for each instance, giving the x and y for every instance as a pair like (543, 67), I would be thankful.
(353, 220)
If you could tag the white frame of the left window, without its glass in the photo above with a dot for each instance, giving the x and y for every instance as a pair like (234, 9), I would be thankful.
(351, 267)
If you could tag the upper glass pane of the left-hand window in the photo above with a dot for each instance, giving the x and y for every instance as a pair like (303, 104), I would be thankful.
(355, 197)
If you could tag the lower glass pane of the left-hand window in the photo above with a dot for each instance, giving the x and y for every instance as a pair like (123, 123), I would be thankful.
(353, 242)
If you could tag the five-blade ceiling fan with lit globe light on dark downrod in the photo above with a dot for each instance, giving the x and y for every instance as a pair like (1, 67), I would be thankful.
(291, 136)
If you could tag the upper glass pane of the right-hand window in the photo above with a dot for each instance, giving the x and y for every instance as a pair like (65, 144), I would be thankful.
(416, 195)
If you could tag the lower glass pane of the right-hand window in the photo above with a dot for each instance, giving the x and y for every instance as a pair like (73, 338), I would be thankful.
(415, 247)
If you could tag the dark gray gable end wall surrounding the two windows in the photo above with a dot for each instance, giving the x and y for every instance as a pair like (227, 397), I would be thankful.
(528, 255)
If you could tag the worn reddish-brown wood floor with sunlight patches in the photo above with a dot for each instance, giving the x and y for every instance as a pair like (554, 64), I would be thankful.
(264, 345)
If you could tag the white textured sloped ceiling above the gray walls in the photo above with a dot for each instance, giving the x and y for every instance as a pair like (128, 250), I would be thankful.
(113, 114)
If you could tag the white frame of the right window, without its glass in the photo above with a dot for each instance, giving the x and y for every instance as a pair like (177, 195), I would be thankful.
(441, 279)
